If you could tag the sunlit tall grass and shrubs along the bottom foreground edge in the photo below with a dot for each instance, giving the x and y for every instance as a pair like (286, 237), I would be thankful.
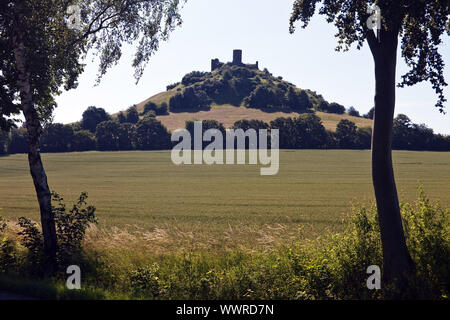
(333, 266)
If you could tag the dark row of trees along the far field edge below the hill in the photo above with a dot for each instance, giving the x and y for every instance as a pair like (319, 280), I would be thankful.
(133, 131)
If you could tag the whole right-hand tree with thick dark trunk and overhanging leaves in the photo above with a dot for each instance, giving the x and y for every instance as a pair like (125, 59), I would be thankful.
(420, 25)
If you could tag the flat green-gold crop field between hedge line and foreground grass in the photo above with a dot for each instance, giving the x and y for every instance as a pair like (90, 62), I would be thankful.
(219, 205)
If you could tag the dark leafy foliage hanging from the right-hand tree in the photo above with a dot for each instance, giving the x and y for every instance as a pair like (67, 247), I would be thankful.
(419, 23)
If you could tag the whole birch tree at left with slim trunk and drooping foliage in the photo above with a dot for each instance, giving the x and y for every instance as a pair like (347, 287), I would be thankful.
(42, 52)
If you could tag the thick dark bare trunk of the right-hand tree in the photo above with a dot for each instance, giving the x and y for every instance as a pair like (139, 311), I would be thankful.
(397, 263)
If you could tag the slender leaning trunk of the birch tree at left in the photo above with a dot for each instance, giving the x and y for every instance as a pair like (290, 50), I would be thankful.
(34, 158)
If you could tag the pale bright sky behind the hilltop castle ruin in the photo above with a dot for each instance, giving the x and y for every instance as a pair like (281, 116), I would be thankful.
(213, 28)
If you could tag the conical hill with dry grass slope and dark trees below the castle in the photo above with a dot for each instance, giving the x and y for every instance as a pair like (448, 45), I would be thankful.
(229, 88)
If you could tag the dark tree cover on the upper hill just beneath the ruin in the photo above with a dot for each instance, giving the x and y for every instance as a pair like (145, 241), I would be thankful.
(252, 88)
